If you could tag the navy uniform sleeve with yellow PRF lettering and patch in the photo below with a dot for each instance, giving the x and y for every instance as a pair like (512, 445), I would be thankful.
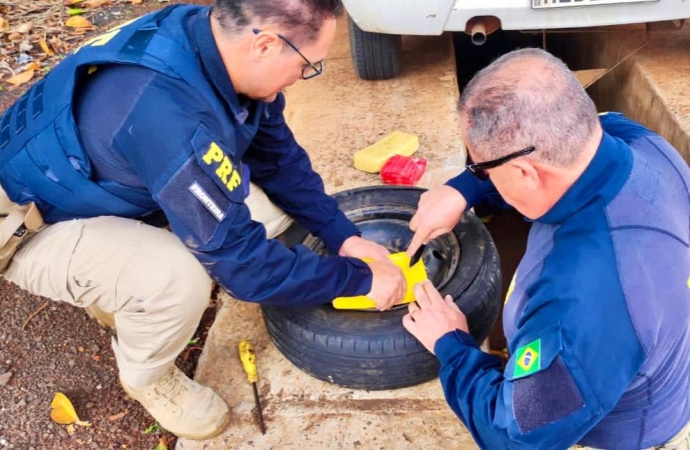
(184, 157)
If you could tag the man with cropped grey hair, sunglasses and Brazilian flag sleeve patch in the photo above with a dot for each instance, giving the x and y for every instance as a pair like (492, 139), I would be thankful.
(597, 317)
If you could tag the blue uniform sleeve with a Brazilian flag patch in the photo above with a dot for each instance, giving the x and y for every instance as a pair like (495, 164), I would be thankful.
(557, 385)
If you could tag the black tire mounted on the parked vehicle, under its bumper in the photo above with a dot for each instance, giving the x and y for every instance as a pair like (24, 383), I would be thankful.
(376, 56)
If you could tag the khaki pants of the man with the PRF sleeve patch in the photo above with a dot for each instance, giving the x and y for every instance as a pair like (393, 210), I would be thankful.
(152, 283)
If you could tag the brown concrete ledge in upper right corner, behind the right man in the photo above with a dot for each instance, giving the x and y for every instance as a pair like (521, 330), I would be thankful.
(651, 86)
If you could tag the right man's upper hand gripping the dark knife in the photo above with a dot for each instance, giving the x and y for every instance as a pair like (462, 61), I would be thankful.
(439, 210)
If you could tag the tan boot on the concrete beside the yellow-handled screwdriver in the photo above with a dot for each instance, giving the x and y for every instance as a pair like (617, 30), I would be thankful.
(182, 406)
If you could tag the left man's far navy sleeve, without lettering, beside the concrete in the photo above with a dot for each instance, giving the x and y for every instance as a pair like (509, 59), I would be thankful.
(283, 170)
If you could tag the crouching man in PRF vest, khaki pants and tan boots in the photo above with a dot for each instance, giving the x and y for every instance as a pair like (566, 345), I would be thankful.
(180, 112)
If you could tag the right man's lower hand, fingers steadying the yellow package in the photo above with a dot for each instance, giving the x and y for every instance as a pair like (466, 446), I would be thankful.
(432, 316)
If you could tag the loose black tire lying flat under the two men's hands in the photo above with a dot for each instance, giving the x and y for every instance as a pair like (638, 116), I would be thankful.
(372, 350)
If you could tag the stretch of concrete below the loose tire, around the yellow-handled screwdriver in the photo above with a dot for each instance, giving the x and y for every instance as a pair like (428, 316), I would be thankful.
(303, 412)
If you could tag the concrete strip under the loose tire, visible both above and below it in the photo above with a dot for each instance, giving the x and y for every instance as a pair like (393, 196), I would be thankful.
(333, 116)
